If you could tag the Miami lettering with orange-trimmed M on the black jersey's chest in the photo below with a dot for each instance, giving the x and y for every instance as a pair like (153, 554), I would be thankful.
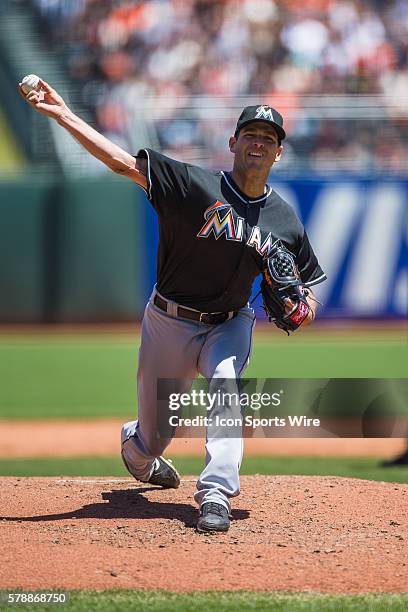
(223, 224)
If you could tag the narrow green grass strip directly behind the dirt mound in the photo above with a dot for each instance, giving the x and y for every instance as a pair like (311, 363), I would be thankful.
(357, 467)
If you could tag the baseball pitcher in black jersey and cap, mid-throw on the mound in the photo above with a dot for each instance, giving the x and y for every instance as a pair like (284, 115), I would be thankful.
(219, 230)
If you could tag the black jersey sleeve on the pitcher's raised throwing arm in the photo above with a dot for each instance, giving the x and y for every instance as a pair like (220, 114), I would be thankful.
(168, 180)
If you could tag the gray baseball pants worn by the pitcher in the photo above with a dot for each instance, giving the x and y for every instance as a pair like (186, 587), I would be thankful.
(172, 347)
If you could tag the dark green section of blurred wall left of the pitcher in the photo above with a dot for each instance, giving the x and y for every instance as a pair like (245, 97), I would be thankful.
(71, 251)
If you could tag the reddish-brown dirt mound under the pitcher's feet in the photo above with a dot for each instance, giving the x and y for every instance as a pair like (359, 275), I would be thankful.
(289, 533)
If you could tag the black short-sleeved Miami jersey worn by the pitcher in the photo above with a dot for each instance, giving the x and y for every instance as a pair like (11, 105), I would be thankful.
(213, 238)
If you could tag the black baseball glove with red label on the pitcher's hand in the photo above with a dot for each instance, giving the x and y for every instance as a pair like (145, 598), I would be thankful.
(283, 295)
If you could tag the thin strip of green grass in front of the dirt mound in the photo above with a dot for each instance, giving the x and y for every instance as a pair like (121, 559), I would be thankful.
(118, 601)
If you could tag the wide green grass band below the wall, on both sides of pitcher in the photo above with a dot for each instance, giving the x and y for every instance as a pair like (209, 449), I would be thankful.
(89, 375)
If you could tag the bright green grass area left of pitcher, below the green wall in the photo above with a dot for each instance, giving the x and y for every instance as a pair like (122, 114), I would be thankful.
(67, 377)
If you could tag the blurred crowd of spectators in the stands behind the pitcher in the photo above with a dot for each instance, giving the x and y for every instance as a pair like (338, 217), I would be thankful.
(173, 62)
